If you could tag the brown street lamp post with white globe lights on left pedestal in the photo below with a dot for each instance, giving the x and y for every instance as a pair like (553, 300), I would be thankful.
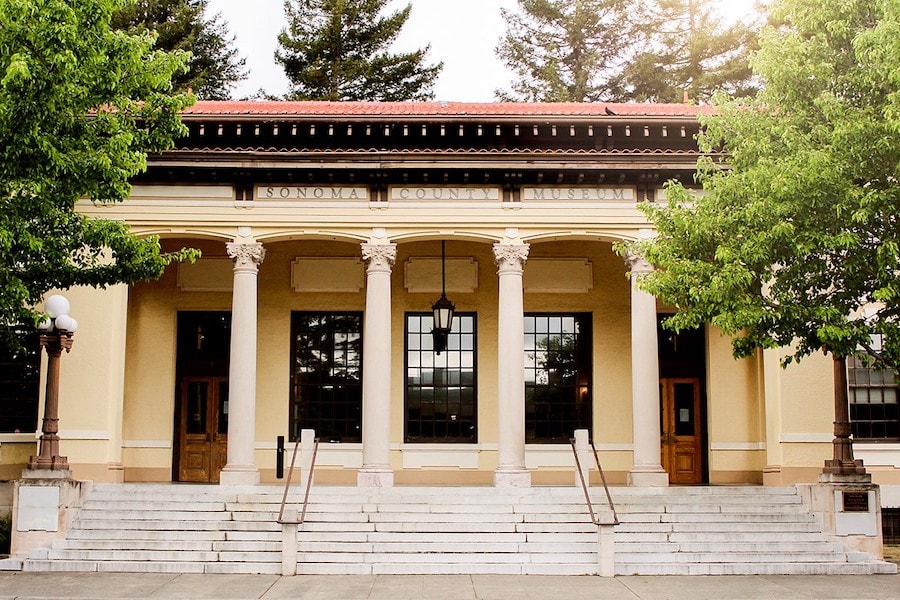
(56, 335)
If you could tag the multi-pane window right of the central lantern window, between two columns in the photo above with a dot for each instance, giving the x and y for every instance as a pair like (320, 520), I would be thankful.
(557, 376)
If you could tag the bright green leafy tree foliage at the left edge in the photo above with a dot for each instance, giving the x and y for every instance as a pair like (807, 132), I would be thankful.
(81, 105)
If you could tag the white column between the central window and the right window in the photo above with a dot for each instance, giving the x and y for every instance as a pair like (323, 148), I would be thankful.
(511, 471)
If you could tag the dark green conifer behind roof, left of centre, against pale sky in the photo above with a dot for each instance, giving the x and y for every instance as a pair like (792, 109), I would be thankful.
(338, 50)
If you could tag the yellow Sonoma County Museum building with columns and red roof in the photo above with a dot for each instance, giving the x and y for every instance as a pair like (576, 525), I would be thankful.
(329, 231)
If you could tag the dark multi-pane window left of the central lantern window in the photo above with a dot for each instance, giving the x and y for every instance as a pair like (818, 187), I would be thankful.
(326, 375)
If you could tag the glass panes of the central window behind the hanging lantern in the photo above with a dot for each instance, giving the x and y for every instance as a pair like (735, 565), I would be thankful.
(440, 399)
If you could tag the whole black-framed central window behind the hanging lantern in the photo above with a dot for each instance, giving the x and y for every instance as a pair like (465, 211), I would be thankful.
(452, 428)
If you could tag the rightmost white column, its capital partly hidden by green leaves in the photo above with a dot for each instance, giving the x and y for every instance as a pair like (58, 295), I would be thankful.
(647, 469)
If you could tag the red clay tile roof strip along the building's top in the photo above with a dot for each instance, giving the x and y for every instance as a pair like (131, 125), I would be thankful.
(441, 109)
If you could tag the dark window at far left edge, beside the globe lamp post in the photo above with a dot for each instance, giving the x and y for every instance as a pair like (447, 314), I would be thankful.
(20, 380)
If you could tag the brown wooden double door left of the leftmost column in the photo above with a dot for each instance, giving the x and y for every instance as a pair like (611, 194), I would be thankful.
(203, 417)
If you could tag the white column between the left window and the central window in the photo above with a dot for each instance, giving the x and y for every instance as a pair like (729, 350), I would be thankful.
(376, 468)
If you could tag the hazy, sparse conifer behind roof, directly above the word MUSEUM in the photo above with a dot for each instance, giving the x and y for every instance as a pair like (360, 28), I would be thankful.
(563, 50)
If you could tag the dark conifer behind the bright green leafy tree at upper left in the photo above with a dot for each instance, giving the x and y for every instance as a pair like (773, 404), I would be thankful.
(214, 67)
